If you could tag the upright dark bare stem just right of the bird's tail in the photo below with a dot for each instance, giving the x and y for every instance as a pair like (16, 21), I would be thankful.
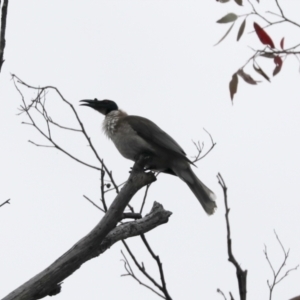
(241, 275)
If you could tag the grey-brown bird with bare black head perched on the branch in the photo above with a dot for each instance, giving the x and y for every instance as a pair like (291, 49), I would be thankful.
(134, 136)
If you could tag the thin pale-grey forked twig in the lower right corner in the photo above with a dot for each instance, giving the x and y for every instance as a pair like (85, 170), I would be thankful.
(276, 277)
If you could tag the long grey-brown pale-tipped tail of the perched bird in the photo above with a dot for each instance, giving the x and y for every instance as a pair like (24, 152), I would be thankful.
(205, 196)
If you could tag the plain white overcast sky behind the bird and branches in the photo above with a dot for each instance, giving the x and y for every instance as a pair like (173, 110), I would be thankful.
(155, 59)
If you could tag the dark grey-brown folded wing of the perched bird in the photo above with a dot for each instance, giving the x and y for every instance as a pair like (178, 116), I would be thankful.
(152, 133)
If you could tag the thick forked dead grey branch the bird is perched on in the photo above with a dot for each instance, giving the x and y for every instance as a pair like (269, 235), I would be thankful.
(48, 282)
